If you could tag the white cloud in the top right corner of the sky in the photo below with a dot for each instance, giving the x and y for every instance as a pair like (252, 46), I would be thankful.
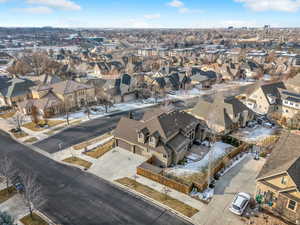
(272, 5)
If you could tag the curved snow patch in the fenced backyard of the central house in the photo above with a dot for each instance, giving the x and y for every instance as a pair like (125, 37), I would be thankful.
(217, 151)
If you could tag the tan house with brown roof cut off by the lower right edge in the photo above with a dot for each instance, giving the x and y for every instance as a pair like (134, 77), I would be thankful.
(278, 183)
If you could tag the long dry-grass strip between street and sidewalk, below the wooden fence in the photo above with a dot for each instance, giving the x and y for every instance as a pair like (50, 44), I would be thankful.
(158, 196)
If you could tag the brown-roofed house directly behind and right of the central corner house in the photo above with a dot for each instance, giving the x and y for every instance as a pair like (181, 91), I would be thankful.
(223, 114)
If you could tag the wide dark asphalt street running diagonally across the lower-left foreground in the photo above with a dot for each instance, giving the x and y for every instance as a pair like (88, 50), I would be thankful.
(75, 197)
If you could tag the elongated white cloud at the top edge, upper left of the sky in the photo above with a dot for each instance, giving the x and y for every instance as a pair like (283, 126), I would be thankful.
(61, 4)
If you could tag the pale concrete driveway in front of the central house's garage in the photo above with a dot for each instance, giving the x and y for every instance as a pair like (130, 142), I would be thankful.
(117, 163)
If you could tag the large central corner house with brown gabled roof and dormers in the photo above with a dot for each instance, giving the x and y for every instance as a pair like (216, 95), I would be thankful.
(167, 135)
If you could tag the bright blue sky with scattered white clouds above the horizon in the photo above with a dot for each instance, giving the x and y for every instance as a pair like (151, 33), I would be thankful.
(150, 13)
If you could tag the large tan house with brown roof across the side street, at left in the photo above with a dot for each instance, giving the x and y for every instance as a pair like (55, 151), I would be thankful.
(53, 99)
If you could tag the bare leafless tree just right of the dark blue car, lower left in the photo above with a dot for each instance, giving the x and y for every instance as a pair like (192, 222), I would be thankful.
(32, 194)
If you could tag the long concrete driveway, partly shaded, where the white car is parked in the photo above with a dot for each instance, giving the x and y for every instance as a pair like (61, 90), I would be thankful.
(240, 178)
